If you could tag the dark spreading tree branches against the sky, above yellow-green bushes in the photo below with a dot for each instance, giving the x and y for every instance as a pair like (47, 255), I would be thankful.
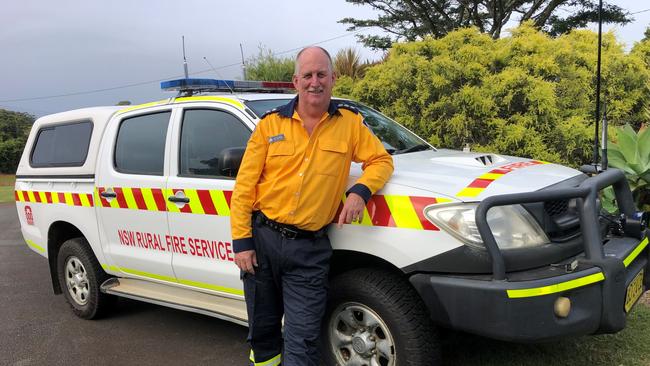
(411, 20)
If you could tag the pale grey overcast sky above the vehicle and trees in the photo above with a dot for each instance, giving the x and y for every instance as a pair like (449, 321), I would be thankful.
(72, 46)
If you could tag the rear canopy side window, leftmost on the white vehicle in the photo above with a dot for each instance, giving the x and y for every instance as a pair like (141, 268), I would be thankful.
(62, 145)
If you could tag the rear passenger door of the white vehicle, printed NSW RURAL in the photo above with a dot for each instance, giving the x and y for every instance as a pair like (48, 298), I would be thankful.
(131, 182)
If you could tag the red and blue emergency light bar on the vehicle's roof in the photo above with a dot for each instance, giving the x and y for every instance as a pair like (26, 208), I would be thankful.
(207, 85)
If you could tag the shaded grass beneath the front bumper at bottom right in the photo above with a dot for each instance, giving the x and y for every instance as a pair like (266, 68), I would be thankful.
(628, 347)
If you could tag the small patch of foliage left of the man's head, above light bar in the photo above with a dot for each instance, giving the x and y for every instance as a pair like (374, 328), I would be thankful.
(268, 67)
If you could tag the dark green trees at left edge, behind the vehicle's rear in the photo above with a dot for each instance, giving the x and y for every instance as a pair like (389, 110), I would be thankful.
(14, 128)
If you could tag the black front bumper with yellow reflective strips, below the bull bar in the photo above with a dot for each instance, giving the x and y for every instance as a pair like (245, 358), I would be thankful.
(523, 310)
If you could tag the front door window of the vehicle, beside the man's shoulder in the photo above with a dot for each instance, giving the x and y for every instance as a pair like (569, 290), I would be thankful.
(205, 133)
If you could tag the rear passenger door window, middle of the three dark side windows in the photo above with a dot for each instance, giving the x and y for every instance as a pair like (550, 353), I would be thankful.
(140, 146)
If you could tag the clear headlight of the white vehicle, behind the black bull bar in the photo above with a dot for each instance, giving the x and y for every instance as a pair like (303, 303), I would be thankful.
(512, 226)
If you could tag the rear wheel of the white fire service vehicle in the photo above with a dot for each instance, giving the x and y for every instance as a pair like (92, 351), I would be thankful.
(80, 276)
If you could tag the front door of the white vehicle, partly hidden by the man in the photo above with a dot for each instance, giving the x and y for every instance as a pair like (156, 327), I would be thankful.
(200, 221)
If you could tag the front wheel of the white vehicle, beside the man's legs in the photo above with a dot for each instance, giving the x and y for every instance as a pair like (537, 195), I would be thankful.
(375, 318)
